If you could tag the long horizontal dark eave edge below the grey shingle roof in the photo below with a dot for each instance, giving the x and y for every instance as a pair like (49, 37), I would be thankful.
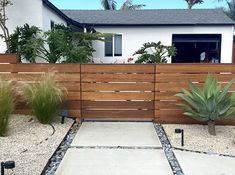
(129, 25)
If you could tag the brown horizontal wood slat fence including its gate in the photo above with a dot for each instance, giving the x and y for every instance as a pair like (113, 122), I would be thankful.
(123, 92)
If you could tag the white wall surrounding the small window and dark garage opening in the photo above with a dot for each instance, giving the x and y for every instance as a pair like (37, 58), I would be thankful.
(134, 37)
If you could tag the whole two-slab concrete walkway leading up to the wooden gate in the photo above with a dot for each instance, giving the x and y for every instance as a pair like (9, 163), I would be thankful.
(115, 148)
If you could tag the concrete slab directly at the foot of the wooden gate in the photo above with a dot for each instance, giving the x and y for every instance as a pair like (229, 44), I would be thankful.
(116, 134)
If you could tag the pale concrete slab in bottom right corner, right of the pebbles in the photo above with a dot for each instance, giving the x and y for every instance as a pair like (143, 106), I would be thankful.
(203, 164)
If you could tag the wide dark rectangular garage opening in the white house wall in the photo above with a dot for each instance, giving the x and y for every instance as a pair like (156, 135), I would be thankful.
(197, 48)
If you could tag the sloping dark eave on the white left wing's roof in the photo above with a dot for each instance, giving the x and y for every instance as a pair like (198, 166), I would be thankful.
(62, 15)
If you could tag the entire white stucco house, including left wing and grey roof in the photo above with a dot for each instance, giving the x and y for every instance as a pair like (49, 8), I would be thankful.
(194, 33)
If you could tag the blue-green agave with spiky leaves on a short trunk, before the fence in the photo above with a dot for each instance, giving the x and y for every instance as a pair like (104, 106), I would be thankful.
(209, 104)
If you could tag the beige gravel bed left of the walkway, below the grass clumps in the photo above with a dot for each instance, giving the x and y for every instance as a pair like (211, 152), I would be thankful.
(31, 144)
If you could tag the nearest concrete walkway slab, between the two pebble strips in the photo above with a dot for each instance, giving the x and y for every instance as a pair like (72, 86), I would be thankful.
(114, 162)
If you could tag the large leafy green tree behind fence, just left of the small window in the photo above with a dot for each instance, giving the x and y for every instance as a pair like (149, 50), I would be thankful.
(64, 45)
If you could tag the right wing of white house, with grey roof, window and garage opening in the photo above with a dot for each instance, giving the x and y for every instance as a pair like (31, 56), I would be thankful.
(192, 32)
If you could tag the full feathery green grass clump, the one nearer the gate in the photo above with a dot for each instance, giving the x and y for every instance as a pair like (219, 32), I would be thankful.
(44, 98)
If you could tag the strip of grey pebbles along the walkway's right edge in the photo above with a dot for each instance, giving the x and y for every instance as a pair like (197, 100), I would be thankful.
(175, 166)
